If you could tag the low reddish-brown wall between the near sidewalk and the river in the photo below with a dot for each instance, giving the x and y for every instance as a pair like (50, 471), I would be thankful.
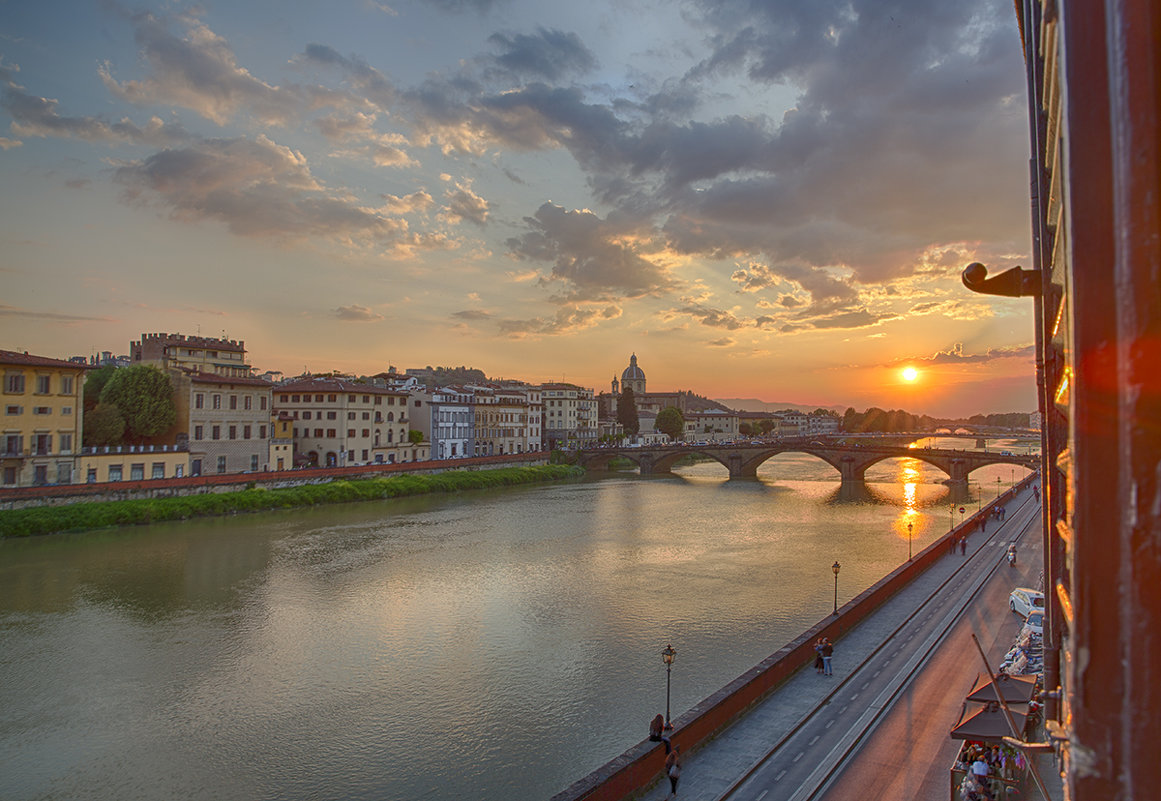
(638, 769)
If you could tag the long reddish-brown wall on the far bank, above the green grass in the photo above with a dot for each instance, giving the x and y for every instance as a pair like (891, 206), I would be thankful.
(163, 488)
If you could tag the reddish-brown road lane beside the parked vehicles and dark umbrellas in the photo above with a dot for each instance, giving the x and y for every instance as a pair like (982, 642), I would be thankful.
(910, 755)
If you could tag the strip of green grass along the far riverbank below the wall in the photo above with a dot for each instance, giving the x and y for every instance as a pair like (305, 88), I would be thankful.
(89, 516)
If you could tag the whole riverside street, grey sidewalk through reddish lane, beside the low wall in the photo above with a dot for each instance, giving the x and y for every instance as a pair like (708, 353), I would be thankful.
(883, 721)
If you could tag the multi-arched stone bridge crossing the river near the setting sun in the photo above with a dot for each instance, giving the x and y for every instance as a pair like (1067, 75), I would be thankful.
(850, 460)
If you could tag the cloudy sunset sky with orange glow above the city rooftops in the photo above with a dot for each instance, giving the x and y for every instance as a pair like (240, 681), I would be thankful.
(761, 199)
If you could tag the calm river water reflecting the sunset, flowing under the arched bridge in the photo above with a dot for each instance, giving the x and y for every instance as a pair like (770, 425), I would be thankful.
(491, 646)
